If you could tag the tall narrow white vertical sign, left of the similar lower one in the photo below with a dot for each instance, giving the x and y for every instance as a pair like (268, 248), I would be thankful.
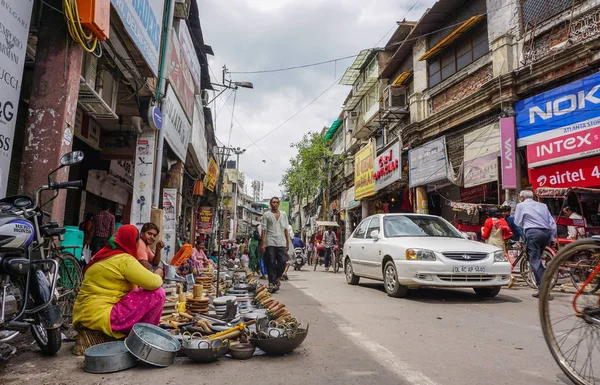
(143, 179)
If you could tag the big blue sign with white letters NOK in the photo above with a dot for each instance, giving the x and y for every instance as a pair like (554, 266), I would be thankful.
(563, 111)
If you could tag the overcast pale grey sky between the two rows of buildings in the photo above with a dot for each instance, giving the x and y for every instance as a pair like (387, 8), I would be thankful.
(252, 35)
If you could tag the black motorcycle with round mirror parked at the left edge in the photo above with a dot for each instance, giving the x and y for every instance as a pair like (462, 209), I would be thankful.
(27, 278)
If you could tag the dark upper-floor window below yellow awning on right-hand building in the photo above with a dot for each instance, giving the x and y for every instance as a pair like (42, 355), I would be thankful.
(458, 56)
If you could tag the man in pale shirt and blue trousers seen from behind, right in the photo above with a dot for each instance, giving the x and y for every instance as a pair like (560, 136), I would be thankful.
(540, 230)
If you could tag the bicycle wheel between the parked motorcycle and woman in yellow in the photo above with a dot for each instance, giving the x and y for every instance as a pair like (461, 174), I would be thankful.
(68, 283)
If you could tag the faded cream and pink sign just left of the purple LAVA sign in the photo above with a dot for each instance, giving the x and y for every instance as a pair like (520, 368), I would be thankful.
(482, 149)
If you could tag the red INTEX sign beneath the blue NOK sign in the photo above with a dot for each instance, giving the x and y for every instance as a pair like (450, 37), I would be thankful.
(567, 147)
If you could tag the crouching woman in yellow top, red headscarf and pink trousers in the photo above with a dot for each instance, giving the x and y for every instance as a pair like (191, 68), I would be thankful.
(117, 291)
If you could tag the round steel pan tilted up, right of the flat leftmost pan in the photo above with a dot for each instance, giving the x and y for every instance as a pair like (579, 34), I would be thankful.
(152, 345)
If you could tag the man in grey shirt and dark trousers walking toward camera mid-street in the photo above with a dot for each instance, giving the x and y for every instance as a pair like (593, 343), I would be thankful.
(275, 242)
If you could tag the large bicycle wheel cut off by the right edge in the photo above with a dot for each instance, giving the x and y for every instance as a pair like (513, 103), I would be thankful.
(572, 337)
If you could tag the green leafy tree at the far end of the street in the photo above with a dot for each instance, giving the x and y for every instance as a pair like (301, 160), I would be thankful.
(308, 169)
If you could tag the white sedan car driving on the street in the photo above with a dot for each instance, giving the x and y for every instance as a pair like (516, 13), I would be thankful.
(413, 250)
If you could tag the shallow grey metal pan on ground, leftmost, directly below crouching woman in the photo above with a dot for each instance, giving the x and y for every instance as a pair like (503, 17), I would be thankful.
(109, 357)
